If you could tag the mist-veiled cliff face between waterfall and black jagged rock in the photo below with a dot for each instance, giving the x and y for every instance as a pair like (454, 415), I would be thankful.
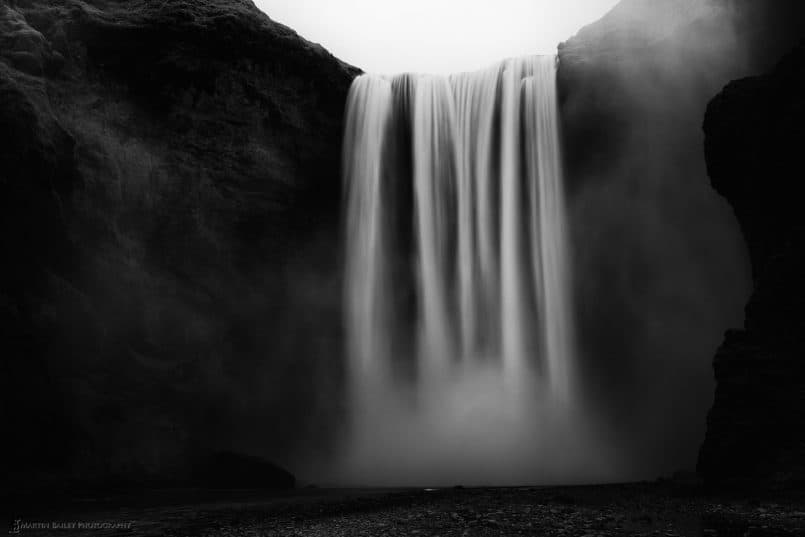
(662, 269)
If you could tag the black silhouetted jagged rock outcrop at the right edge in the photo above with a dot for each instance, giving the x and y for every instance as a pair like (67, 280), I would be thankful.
(754, 133)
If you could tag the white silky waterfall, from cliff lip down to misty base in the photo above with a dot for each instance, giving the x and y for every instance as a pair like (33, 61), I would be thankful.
(459, 326)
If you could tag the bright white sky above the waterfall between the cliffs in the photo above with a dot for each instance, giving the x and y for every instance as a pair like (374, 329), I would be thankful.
(436, 36)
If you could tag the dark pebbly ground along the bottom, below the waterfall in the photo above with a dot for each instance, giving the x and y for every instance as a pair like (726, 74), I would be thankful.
(641, 509)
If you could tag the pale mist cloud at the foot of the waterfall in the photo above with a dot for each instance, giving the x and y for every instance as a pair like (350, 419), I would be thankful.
(472, 428)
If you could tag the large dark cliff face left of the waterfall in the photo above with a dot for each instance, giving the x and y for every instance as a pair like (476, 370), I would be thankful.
(171, 187)
